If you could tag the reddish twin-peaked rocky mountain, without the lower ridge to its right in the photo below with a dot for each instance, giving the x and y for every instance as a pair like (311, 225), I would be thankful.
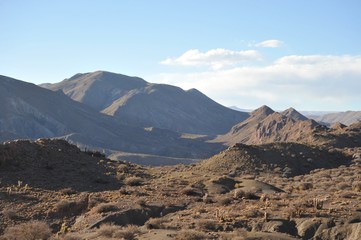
(265, 125)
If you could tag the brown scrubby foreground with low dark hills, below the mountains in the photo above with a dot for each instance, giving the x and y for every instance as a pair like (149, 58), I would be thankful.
(50, 189)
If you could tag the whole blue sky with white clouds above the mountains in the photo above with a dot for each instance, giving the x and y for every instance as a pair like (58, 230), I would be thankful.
(244, 53)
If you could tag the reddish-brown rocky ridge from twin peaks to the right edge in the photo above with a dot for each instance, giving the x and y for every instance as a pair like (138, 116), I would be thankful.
(267, 126)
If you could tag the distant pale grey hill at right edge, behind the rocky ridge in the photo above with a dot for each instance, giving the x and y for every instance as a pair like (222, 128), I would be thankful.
(346, 118)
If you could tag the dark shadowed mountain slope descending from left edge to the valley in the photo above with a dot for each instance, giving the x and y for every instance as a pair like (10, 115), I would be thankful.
(29, 111)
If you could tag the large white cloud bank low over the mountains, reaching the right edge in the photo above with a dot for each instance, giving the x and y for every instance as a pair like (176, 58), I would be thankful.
(311, 82)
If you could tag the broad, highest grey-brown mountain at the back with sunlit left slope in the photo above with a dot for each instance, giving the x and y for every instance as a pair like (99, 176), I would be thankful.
(144, 104)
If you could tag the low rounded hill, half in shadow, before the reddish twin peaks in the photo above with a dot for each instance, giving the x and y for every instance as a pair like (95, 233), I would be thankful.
(285, 159)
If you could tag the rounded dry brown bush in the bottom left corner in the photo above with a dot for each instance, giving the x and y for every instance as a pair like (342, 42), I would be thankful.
(32, 230)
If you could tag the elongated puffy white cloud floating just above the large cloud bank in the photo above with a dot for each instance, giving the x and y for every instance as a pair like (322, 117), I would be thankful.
(215, 58)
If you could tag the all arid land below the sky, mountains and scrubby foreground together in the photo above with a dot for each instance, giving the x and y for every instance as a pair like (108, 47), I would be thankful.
(217, 173)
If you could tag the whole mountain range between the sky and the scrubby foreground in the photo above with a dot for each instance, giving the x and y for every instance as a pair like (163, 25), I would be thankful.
(131, 119)
